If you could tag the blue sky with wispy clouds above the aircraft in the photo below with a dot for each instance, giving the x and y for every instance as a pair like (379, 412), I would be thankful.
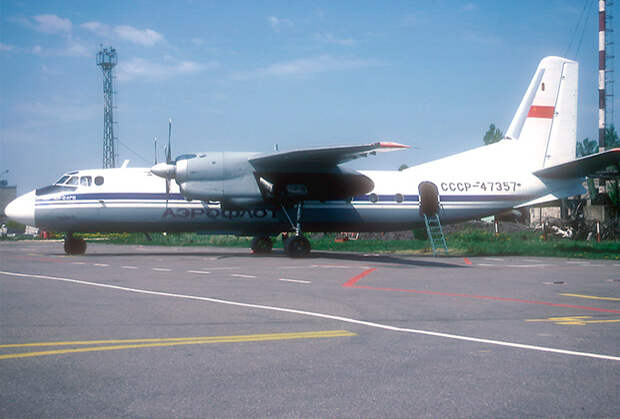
(246, 75)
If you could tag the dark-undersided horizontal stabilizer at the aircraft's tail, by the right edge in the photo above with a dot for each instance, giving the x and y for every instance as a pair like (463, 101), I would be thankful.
(581, 167)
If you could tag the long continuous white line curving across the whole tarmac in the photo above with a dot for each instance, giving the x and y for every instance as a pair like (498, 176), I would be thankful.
(322, 316)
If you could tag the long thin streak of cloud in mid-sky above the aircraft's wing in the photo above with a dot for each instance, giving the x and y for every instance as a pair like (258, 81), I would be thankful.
(304, 66)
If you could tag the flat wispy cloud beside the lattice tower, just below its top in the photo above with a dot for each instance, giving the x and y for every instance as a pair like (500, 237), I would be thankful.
(150, 71)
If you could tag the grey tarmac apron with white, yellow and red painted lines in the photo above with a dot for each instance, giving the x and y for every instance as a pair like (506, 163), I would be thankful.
(217, 332)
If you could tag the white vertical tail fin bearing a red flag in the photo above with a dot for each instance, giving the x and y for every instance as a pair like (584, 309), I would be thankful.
(546, 120)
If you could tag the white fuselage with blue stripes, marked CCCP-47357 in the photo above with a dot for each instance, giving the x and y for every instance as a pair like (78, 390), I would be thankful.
(480, 182)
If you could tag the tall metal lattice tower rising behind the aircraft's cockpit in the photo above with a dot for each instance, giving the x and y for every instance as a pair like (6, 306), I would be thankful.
(106, 60)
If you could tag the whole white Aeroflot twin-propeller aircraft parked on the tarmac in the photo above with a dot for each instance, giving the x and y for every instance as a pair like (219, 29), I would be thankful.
(264, 194)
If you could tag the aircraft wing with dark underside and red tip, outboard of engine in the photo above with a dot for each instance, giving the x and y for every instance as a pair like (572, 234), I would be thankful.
(319, 158)
